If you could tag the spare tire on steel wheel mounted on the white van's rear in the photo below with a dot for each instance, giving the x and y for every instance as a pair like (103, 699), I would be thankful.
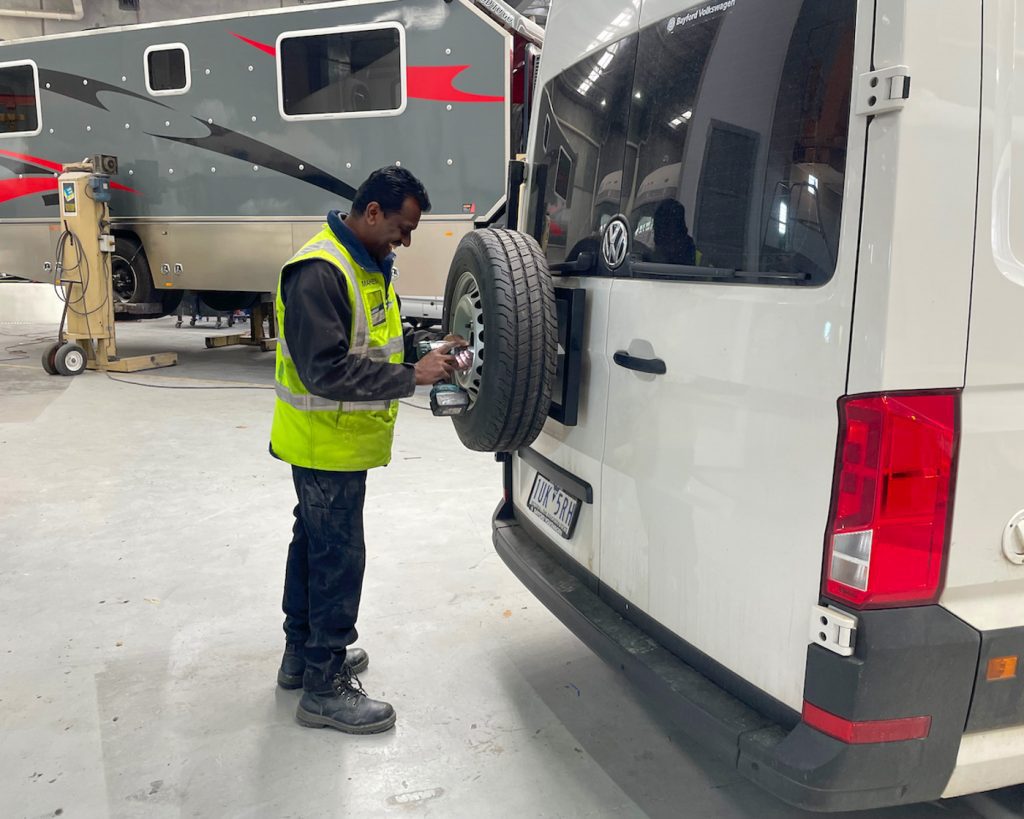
(500, 298)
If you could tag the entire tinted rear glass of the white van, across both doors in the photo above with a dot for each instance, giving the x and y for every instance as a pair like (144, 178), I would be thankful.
(720, 134)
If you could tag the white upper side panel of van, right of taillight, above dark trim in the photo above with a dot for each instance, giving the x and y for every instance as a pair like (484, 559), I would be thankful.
(986, 570)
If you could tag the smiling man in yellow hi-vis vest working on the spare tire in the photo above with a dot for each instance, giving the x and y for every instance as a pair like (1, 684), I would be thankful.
(340, 374)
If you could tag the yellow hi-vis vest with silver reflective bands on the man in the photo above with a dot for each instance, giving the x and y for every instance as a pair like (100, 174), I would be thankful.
(320, 434)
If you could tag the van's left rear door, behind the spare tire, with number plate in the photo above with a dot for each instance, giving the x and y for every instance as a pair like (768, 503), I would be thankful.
(577, 149)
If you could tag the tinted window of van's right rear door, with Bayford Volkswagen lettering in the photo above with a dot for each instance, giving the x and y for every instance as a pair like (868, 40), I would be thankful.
(742, 116)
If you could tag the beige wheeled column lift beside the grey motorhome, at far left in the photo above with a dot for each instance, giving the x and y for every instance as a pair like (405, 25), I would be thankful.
(88, 338)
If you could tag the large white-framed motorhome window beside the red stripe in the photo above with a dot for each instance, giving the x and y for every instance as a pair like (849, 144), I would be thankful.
(339, 73)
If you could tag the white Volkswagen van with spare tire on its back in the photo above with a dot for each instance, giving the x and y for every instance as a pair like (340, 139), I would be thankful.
(781, 478)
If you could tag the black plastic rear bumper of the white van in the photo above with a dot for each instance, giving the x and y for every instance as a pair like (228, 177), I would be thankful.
(909, 662)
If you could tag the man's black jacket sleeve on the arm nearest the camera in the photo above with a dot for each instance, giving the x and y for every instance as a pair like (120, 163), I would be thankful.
(318, 318)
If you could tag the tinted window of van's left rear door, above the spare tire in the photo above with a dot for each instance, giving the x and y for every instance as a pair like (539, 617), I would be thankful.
(585, 111)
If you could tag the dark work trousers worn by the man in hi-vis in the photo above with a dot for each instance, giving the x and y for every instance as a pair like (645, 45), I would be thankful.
(324, 575)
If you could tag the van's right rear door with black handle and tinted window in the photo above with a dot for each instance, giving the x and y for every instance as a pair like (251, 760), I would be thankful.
(730, 324)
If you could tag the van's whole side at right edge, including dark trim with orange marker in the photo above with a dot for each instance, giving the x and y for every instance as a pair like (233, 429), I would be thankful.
(985, 581)
